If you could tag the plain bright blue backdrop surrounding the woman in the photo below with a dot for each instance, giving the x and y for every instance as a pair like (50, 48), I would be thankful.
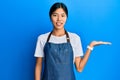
(22, 21)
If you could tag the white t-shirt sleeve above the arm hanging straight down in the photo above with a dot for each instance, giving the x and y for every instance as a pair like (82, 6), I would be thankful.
(39, 48)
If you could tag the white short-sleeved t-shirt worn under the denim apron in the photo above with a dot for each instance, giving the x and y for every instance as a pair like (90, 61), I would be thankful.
(74, 40)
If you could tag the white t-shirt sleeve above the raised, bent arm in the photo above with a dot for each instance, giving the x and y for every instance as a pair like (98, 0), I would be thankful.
(78, 51)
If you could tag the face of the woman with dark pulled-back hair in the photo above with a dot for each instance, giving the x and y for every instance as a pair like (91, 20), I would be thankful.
(58, 18)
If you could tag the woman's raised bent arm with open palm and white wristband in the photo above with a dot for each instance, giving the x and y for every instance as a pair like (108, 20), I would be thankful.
(80, 62)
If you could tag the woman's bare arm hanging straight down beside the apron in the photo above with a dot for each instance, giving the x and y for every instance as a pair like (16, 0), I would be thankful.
(38, 68)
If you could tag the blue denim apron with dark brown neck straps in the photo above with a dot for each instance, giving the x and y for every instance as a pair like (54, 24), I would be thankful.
(58, 62)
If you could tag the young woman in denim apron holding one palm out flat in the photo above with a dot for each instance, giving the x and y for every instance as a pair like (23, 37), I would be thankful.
(60, 49)
